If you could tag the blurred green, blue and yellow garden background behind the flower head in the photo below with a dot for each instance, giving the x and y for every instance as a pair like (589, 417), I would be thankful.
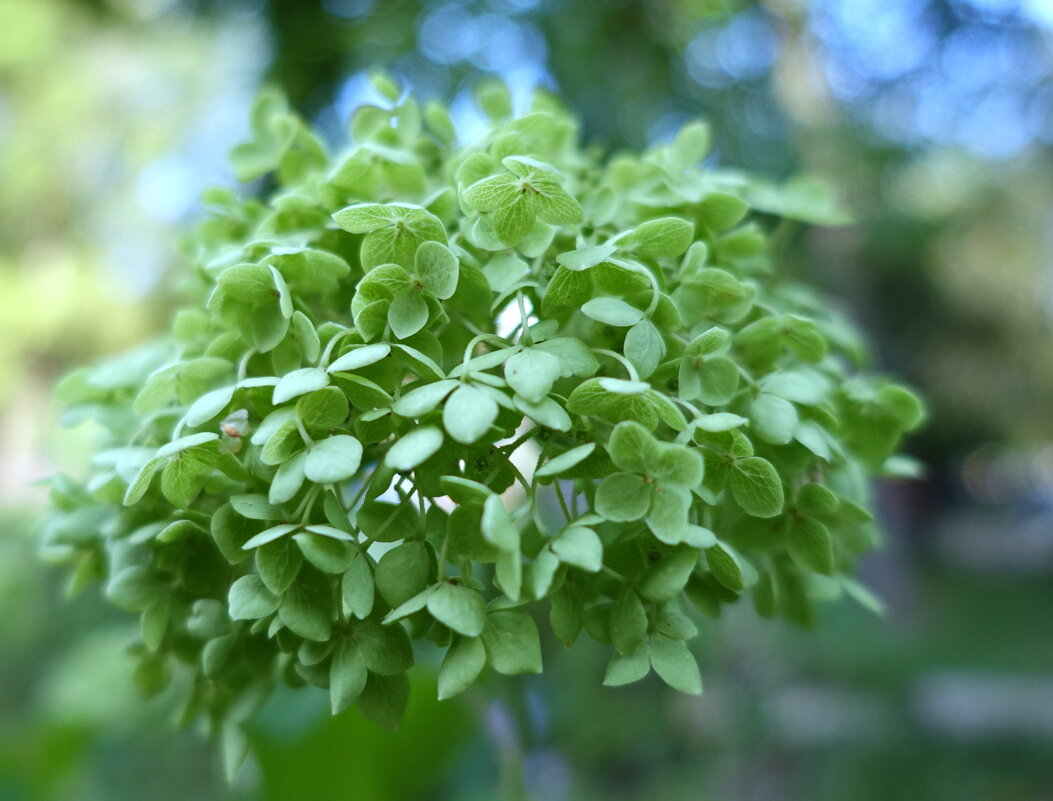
(935, 122)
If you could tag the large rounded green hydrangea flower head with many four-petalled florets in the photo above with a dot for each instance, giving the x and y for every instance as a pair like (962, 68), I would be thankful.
(431, 391)
